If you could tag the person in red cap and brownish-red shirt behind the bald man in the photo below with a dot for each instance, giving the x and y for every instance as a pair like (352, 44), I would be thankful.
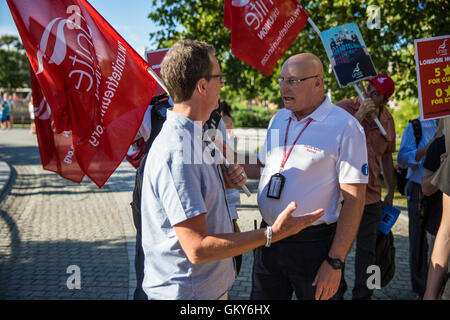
(379, 153)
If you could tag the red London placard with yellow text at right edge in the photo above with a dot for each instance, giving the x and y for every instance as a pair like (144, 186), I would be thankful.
(433, 76)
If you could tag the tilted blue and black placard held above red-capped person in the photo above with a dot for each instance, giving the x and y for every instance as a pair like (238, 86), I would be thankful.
(348, 54)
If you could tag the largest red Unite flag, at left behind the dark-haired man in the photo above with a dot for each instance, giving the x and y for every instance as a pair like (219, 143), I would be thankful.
(96, 85)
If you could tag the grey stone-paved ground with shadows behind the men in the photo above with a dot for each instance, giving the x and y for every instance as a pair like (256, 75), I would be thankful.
(48, 224)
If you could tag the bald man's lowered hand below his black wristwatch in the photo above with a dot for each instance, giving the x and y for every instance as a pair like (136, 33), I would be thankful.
(327, 281)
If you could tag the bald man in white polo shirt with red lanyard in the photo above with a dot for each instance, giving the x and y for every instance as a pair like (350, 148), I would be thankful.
(314, 154)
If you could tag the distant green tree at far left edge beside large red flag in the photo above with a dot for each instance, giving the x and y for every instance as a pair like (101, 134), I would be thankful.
(14, 65)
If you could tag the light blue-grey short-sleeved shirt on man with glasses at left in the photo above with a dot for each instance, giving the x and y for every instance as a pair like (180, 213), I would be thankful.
(180, 182)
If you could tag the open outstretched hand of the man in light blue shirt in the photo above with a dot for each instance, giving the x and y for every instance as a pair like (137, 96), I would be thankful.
(287, 225)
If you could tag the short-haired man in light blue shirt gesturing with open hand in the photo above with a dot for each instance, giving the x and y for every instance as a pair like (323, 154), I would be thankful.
(187, 230)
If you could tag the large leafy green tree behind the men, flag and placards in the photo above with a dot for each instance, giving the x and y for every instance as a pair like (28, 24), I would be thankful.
(391, 47)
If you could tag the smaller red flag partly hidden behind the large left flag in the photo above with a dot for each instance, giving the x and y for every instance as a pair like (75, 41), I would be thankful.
(56, 149)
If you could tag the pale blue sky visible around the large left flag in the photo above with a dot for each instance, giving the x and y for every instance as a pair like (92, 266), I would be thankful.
(128, 17)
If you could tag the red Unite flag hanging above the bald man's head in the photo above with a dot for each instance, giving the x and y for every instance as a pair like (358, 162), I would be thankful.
(262, 30)
